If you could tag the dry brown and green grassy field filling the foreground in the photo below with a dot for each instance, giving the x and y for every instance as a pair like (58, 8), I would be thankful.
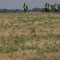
(30, 36)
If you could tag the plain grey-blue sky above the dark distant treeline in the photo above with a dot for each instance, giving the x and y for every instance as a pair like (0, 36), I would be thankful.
(17, 4)
